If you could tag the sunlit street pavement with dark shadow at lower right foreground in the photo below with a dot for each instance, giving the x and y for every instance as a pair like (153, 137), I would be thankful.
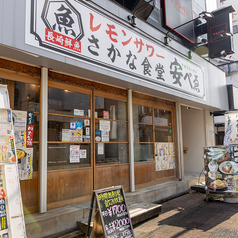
(190, 216)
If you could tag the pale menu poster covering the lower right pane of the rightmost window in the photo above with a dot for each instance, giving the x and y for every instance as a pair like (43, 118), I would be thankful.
(165, 156)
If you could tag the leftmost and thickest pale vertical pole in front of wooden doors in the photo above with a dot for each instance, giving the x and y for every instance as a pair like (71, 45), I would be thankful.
(43, 139)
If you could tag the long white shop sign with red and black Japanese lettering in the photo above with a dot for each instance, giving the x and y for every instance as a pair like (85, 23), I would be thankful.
(74, 28)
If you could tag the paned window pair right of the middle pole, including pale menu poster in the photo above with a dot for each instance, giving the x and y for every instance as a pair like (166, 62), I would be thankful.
(153, 136)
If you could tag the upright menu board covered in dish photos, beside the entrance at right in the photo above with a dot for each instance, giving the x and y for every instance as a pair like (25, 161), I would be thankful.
(221, 169)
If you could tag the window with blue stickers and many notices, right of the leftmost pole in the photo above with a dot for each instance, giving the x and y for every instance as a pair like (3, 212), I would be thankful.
(69, 129)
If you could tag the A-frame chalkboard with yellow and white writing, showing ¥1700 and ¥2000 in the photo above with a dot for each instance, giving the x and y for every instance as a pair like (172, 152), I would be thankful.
(114, 215)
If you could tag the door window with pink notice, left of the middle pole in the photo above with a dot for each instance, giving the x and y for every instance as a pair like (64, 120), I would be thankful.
(111, 137)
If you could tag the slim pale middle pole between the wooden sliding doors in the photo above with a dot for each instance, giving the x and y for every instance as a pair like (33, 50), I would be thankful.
(131, 142)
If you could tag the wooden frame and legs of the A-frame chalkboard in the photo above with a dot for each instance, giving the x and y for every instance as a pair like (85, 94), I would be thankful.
(95, 196)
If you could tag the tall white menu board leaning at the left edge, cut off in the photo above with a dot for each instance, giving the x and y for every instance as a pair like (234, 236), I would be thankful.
(11, 211)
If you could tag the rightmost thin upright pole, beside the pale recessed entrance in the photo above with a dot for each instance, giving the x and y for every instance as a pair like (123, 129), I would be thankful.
(179, 141)
